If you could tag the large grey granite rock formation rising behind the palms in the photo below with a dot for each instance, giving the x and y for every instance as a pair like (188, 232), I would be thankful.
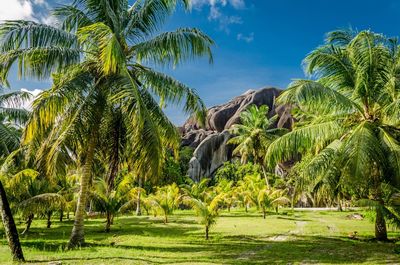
(210, 142)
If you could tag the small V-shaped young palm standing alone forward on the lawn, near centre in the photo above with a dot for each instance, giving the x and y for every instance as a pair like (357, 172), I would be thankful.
(206, 209)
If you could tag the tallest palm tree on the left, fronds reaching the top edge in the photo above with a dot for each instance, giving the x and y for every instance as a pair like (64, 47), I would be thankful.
(97, 58)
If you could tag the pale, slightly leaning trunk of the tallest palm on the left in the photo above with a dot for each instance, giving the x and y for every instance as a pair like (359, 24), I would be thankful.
(77, 236)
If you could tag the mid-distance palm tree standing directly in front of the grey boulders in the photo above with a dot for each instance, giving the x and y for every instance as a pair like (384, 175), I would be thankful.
(254, 135)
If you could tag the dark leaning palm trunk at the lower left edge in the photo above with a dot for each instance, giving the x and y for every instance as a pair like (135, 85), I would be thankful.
(9, 227)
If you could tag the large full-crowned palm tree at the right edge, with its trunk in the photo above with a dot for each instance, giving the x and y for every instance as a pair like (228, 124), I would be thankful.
(351, 113)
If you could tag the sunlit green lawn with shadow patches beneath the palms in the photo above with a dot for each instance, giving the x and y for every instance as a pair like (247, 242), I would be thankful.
(237, 238)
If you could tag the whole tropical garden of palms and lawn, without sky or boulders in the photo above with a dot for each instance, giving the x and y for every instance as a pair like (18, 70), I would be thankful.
(94, 171)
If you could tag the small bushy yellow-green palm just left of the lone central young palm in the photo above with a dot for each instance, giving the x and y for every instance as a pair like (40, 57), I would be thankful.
(166, 200)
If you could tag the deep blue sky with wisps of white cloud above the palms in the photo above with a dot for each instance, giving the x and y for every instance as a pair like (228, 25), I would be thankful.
(258, 42)
